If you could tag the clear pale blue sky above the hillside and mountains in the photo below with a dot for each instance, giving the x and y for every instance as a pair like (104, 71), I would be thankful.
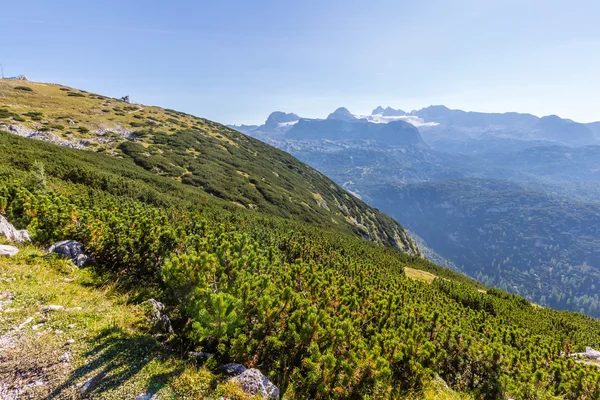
(236, 61)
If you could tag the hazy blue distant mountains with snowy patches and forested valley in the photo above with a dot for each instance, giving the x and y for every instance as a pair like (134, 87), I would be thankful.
(508, 198)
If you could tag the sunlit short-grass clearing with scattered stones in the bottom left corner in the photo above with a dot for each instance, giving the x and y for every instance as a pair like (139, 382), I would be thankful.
(99, 338)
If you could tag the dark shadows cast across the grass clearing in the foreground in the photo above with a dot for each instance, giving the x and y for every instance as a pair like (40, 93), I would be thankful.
(116, 357)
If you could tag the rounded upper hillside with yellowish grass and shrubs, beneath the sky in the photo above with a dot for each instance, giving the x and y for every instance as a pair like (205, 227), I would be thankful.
(199, 153)
